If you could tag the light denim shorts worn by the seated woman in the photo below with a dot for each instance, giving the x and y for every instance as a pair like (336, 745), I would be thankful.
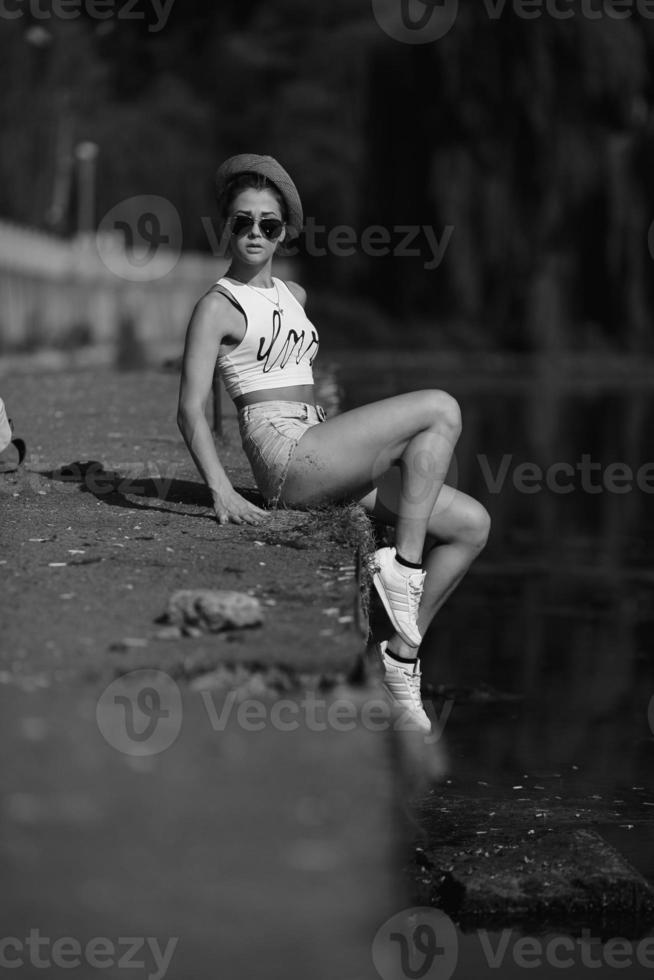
(270, 431)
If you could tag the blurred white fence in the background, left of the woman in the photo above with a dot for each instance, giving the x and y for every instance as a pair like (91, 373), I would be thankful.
(58, 293)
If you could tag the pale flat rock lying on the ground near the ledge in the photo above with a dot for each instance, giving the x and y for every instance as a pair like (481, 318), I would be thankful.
(212, 610)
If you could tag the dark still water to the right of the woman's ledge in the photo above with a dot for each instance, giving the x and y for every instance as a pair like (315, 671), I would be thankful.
(549, 638)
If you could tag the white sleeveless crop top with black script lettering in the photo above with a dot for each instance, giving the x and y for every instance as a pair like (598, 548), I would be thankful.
(279, 346)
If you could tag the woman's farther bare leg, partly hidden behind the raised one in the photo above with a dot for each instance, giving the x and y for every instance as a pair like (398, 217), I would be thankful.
(458, 528)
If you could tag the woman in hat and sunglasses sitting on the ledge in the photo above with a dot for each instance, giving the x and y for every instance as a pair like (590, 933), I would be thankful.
(391, 456)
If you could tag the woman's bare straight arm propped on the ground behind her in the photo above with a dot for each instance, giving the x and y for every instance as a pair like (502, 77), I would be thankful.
(213, 318)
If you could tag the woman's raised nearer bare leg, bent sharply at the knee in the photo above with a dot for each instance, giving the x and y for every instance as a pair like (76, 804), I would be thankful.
(346, 456)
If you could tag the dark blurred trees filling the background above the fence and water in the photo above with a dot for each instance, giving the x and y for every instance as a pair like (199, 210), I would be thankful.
(532, 138)
